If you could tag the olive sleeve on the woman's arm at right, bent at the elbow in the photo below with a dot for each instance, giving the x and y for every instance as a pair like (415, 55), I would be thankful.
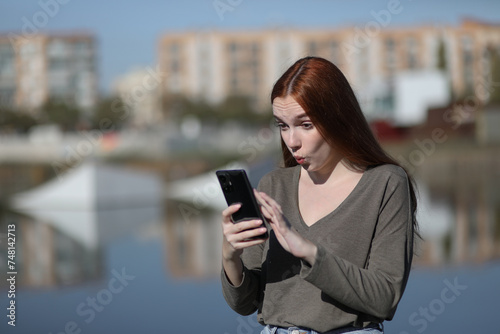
(376, 288)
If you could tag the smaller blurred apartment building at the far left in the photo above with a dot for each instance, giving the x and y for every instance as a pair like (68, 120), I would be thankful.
(38, 67)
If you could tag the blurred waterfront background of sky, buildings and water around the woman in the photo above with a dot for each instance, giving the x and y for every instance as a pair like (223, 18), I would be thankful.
(114, 116)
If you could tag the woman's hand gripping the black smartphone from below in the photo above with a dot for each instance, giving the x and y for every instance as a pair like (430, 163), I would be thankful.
(237, 236)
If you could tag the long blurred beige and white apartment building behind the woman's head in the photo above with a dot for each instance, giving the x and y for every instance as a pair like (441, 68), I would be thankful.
(212, 65)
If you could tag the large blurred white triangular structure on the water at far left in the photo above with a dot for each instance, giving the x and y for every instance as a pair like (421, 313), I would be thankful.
(74, 203)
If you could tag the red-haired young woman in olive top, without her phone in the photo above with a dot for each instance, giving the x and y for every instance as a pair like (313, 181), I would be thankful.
(342, 214)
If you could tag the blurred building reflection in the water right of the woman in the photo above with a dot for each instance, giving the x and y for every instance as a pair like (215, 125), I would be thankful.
(460, 198)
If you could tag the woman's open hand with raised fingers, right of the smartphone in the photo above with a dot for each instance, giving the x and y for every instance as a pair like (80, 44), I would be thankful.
(288, 237)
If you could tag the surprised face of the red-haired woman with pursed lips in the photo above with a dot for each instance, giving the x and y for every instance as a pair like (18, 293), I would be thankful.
(301, 137)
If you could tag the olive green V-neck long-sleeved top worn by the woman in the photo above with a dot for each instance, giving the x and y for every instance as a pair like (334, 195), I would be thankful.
(365, 250)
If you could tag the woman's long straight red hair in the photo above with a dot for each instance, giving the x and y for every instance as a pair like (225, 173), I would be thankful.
(324, 93)
